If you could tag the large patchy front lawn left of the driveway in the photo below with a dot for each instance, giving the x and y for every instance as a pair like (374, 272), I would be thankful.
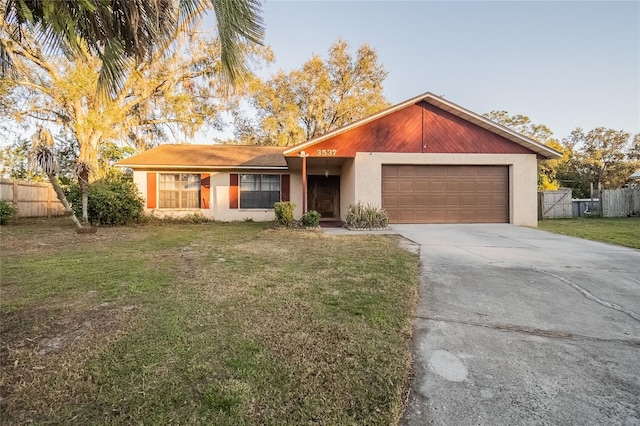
(225, 324)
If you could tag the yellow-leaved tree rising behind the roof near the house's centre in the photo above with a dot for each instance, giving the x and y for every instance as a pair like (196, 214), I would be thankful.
(322, 95)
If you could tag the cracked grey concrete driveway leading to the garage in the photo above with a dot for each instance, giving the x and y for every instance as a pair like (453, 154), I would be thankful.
(521, 326)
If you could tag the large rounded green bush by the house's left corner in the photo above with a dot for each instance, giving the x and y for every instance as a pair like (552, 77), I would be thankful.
(110, 202)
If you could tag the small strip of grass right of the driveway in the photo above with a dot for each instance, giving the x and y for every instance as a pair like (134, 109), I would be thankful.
(619, 231)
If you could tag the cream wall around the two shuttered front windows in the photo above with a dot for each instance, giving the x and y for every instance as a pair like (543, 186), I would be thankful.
(219, 197)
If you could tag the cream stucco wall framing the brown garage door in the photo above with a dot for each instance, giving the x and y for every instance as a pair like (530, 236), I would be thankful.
(522, 177)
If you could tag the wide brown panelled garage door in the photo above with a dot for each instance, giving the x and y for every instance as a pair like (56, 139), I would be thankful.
(446, 194)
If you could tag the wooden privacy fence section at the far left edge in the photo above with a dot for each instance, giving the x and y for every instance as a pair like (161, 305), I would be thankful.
(34, 199)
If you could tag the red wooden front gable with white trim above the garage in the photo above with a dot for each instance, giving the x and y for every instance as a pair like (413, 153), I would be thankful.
(425, 123)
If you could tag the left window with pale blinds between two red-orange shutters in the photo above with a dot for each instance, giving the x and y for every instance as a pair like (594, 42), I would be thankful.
(179, 191)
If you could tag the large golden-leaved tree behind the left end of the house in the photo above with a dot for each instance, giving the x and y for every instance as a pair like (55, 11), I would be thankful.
(167, 95)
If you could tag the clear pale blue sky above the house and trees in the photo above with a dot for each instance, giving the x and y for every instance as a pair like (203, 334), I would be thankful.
(563, 64)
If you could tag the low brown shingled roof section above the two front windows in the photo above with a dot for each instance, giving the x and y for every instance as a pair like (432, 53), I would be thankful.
(186, 156)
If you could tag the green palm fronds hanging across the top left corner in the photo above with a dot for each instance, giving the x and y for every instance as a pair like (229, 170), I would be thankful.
(122, 31)
